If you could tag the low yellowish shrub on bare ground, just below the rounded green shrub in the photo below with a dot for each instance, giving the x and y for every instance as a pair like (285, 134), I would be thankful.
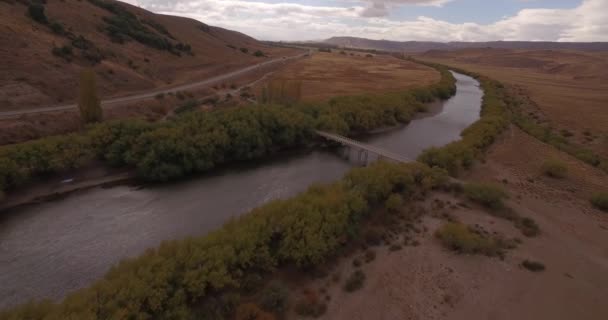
(461, 238)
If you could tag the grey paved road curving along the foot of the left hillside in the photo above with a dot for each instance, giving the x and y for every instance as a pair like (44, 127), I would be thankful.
(153, 93)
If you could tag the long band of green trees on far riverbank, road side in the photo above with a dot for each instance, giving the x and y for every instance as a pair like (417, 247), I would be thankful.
(198, 141)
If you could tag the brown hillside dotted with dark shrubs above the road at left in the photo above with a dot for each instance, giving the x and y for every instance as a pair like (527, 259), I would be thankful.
(44, 45)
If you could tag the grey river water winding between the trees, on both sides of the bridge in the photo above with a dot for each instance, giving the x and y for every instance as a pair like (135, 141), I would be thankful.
(50, 249)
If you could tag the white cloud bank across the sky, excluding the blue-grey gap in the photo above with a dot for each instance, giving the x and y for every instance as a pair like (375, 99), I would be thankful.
(371, 19)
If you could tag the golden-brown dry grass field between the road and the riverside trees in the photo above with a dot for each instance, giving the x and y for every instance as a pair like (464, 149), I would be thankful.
(325, 75)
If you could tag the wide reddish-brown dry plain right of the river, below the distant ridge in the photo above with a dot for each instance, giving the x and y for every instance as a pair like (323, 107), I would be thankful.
(570, 88)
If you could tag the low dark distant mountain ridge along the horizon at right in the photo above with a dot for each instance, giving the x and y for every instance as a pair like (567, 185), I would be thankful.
(422, 46)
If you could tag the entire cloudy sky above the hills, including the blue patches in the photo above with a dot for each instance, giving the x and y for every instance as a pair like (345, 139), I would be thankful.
(423, 20)
